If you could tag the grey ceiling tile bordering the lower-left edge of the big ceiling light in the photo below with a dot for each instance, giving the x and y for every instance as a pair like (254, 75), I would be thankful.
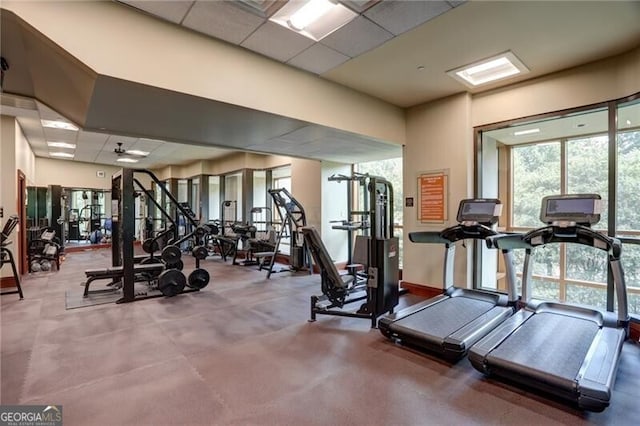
(277, 42)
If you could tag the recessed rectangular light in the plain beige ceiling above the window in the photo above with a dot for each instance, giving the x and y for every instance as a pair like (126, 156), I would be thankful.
(488, 70)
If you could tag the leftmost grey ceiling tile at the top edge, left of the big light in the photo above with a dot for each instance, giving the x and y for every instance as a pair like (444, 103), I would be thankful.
(222, 20)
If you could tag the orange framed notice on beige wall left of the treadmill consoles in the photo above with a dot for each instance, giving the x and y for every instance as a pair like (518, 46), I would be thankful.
(432, 193)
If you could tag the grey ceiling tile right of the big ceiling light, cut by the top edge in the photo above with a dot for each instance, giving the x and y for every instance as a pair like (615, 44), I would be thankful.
(400, 16)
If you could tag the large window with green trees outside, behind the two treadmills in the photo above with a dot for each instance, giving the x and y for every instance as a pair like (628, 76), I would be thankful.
(521, 163)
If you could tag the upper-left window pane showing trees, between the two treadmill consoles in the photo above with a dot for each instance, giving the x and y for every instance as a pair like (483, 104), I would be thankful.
(536, 173)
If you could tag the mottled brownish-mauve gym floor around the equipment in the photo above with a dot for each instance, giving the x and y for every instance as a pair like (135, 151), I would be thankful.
(241, 352)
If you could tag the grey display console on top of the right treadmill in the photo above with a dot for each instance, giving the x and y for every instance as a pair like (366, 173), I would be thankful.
(581, 209)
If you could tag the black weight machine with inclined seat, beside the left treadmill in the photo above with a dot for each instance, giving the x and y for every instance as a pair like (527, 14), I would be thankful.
(378, 290)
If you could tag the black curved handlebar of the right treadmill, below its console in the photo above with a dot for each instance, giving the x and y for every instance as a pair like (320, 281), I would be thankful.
(578, 234)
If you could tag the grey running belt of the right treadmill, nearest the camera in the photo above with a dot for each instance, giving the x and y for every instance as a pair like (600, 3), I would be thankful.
(550, 343)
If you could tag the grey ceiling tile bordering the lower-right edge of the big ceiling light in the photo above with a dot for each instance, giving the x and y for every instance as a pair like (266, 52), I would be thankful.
(357, 37)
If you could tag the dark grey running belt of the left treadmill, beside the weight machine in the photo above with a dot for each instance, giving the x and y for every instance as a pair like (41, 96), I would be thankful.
(444, 318)
